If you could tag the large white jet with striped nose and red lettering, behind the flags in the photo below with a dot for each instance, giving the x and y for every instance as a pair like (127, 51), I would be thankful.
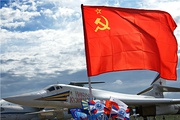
(149, 102)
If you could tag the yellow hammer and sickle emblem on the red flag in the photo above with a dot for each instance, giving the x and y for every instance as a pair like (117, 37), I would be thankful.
(104, 26)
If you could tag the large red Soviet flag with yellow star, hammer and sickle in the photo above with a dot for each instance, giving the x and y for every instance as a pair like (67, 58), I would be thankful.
(129, 39)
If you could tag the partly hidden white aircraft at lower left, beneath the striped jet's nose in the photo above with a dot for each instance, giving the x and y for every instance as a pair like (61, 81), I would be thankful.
(10, 111)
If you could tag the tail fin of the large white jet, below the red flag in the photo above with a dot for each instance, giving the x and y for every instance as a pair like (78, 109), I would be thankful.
(157, 88)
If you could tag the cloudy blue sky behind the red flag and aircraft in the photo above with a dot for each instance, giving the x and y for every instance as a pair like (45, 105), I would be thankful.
(42, 43)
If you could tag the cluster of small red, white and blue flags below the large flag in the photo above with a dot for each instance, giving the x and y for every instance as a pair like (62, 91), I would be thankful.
(101, 110)
